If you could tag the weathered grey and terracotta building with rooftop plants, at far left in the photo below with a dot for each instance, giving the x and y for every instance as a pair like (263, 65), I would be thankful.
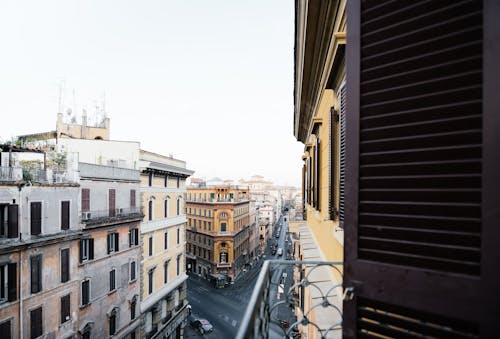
(39, 236)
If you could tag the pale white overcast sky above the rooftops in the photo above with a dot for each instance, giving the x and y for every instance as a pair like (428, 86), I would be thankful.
(210, 82)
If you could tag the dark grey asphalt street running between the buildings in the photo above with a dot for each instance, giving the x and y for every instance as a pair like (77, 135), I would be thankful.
(224, 308)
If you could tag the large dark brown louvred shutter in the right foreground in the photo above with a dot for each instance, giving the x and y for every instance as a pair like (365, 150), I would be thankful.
(422, 169)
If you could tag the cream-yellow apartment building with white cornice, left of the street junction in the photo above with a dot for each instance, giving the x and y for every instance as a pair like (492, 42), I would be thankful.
(163, 231)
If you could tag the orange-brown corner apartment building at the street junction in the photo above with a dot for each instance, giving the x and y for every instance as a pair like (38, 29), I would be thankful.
(218, 230)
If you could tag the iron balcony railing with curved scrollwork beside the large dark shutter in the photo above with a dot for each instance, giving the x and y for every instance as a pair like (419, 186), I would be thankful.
(295, 299)
